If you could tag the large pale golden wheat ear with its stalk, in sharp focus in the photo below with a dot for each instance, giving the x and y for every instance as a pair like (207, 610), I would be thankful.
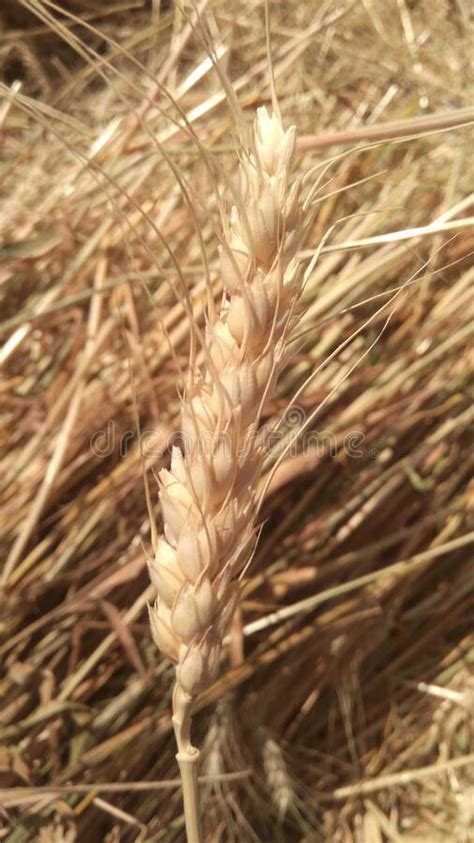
(208, 497)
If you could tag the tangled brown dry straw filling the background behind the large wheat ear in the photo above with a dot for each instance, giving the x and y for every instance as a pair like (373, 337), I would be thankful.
(345, 706)
